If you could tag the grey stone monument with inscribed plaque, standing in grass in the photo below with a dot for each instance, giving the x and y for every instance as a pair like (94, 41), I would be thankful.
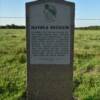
(50, 39)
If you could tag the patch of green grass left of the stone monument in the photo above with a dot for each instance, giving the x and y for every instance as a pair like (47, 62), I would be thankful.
(12, 64)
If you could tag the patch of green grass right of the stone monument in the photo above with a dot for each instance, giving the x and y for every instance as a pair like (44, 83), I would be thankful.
(87, 65)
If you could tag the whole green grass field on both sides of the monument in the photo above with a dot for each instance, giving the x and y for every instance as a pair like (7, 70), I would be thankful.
(13, 64)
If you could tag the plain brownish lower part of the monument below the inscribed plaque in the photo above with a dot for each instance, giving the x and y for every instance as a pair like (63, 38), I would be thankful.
(49, 82)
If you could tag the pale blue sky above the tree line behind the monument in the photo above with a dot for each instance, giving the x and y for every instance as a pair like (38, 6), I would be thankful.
(85, 9)
